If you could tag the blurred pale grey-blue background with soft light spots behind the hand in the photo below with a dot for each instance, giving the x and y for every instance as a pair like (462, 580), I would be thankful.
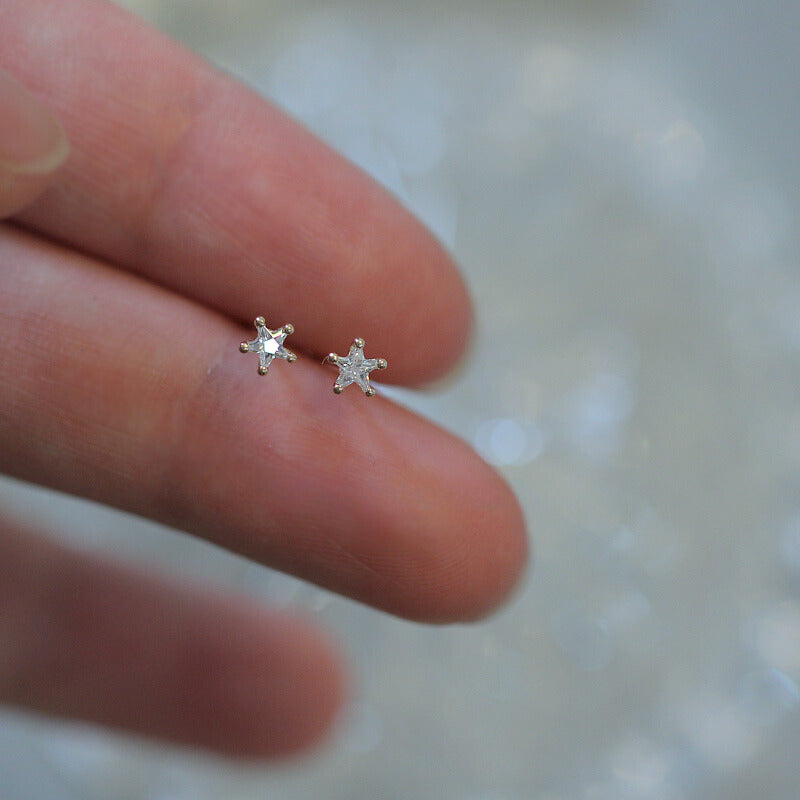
(621, 182)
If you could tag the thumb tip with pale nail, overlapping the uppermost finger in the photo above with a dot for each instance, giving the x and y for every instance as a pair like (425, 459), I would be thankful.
(32, 141)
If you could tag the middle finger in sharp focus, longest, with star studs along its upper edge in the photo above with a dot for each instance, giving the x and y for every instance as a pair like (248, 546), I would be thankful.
(125, 393)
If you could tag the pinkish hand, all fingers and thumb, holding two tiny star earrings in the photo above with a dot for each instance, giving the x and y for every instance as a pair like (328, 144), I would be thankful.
(187, 206)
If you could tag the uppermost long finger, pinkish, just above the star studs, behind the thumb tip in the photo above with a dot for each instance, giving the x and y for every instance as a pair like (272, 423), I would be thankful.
(185, 176)
